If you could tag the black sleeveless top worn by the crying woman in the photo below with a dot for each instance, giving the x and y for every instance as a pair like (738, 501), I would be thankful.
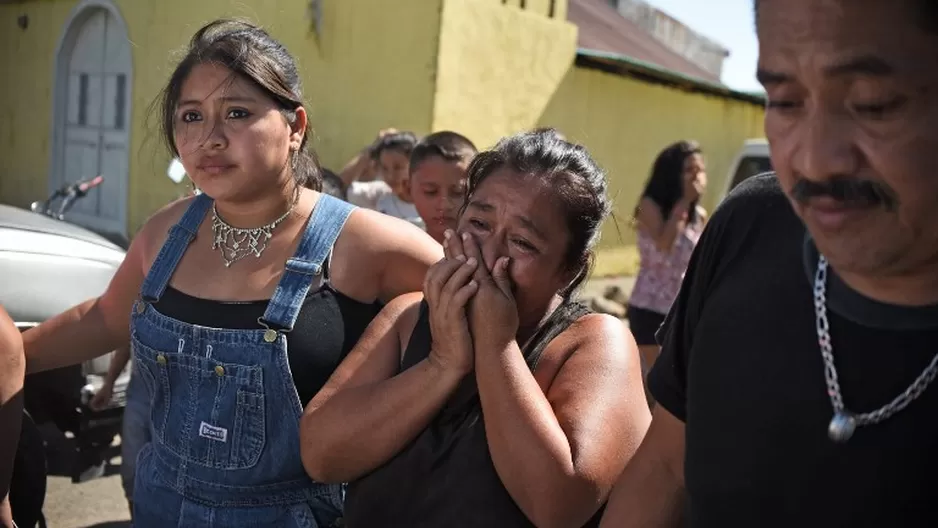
(446, 477)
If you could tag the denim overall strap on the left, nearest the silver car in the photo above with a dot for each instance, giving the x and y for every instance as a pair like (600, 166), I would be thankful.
(180, 236)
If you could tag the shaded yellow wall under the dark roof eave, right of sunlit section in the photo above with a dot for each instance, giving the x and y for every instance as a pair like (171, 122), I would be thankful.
(625, 122)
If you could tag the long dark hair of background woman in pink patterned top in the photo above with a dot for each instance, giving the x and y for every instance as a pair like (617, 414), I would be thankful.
(665, 186)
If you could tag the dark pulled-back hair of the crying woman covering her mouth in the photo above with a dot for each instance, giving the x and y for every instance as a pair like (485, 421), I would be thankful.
(579, 183)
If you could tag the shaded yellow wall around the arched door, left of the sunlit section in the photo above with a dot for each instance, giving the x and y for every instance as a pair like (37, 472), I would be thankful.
(363, 73)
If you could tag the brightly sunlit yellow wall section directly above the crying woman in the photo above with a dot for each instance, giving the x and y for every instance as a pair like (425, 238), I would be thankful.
(498, 67)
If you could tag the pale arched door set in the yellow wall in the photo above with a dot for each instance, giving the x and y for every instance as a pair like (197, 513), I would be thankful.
(92, 114)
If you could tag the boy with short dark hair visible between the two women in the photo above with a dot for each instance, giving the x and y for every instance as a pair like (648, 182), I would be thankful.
(437, 179)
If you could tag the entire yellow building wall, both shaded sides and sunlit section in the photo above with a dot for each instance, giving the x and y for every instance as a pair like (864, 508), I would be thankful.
(481, 67)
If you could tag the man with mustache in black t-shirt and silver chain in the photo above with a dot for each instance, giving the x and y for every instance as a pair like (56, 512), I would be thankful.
(795, 383)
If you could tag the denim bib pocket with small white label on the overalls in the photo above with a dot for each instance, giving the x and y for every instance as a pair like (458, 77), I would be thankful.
(205, 411)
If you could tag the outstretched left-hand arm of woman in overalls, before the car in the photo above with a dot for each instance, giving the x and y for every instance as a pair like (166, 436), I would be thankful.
(94, 327)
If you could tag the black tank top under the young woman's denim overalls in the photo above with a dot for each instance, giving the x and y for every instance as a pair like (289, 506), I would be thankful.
(327, 327)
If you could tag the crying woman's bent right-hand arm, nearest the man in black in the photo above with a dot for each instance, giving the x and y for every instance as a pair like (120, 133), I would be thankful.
(558, 454)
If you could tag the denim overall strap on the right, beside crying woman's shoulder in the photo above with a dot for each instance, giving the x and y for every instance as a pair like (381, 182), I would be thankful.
(321, 232)
